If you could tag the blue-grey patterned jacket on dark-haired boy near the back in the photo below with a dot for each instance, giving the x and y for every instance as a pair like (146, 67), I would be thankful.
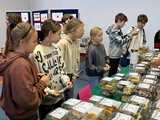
(117, 40)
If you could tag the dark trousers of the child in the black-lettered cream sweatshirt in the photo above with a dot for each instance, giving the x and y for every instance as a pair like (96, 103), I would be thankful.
(44, 110)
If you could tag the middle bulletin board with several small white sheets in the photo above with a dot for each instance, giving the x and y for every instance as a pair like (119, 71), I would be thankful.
(38, 17)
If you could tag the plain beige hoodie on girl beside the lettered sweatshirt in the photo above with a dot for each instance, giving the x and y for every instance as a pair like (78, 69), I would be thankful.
(71, 55)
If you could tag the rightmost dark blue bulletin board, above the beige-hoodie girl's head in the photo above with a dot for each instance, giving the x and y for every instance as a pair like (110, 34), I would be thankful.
(57, 14)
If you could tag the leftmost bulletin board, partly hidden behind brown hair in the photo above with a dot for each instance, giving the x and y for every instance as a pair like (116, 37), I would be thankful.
(25, 15)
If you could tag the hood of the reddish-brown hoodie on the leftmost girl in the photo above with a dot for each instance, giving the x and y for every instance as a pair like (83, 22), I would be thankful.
(5, 61)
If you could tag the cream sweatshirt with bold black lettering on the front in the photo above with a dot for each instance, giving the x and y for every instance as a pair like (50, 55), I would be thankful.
(49, 61)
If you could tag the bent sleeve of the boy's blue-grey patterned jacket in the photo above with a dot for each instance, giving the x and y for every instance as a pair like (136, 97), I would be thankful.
(120, 39)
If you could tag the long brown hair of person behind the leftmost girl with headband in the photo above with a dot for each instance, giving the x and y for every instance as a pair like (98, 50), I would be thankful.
(13, 20)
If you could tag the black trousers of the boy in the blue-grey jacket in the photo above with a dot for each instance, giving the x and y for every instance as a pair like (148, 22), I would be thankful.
(114, 63)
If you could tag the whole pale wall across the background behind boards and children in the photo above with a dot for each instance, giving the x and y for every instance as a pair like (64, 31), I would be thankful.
(92, 12)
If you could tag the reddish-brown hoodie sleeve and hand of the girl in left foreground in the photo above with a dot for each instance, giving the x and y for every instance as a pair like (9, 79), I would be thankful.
(25, 92)
